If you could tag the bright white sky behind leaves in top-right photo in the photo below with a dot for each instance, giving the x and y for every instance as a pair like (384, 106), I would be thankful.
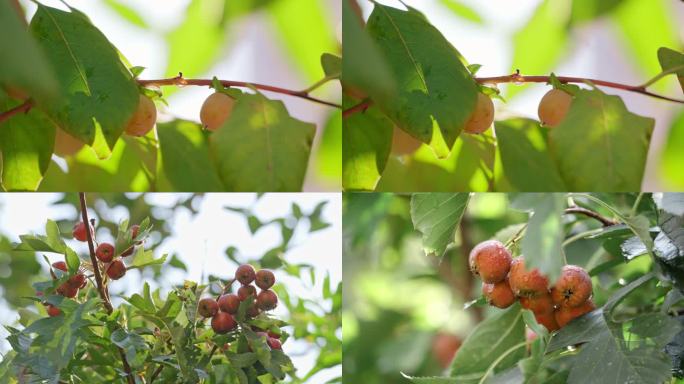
(595, 52)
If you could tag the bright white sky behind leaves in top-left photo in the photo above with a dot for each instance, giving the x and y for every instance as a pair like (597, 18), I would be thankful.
(256, 55)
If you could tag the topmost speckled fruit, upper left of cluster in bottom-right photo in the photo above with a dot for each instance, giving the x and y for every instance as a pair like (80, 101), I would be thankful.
(491, 260)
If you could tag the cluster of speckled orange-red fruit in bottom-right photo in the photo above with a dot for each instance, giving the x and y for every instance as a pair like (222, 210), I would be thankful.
(505, 279)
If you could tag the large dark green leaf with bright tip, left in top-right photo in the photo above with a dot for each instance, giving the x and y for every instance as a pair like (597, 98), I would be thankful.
(436, 92)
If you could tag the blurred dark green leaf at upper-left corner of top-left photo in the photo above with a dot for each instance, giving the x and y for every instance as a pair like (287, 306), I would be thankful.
(23, 64)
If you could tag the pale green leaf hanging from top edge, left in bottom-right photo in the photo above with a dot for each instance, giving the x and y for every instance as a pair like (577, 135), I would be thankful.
(437, 216)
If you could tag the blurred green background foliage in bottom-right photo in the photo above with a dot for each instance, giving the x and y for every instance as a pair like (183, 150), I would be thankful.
(405, 312)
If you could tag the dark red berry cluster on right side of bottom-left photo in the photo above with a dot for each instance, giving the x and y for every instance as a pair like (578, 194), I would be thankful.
(223, 310)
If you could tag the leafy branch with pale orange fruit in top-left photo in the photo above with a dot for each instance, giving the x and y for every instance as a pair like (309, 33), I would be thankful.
(66, 90)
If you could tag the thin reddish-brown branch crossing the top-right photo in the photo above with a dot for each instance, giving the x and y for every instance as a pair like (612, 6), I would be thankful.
(517, 78)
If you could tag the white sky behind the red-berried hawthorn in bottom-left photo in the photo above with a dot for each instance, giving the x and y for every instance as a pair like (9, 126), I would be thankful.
(200, 242)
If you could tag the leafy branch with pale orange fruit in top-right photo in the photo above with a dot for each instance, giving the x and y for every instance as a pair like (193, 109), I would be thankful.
(405, 85)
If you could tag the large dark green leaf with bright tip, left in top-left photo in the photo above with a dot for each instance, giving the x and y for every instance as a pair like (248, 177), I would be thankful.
(99, 94)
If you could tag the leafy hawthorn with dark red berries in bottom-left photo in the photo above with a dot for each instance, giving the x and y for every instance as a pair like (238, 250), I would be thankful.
(191, 333)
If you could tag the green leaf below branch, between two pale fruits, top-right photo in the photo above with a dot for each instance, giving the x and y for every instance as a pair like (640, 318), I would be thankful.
(525, 156)
